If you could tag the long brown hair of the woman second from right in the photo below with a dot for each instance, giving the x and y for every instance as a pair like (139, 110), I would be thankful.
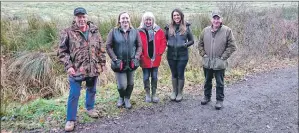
(183, 27)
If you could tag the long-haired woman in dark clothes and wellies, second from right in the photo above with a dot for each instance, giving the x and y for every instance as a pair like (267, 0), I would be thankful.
(179, 38)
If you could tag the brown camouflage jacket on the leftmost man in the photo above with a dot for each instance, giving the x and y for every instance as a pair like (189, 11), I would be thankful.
(85, 56)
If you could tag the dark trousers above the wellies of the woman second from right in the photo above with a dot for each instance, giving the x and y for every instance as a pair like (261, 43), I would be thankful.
(177, 68)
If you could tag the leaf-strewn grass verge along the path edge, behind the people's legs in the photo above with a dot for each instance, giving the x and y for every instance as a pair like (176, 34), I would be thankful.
(51, 114)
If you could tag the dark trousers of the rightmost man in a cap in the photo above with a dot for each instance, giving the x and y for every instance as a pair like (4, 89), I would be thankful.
(209, 75)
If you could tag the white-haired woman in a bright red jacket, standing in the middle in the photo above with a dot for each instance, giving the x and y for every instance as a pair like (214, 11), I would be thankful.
(153, 46)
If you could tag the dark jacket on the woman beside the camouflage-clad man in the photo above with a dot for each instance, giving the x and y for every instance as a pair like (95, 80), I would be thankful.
(124, 46)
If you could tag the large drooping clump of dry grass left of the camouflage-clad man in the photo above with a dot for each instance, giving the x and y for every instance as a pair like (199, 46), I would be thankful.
(31, 74)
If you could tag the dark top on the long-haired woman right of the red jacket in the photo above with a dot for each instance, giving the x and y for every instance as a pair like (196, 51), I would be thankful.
(177, 45)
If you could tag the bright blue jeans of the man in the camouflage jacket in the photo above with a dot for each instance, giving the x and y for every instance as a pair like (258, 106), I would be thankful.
(75, 88)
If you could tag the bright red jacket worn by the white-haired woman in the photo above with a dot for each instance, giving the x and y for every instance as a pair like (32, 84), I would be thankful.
(159, 48)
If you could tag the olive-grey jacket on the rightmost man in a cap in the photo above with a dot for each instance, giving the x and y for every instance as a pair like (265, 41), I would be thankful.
(216, 47)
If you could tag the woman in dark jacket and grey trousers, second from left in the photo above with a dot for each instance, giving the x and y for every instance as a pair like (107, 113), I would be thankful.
(124, 47)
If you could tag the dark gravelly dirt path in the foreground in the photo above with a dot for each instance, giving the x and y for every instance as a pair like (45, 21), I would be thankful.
(264, 103)
